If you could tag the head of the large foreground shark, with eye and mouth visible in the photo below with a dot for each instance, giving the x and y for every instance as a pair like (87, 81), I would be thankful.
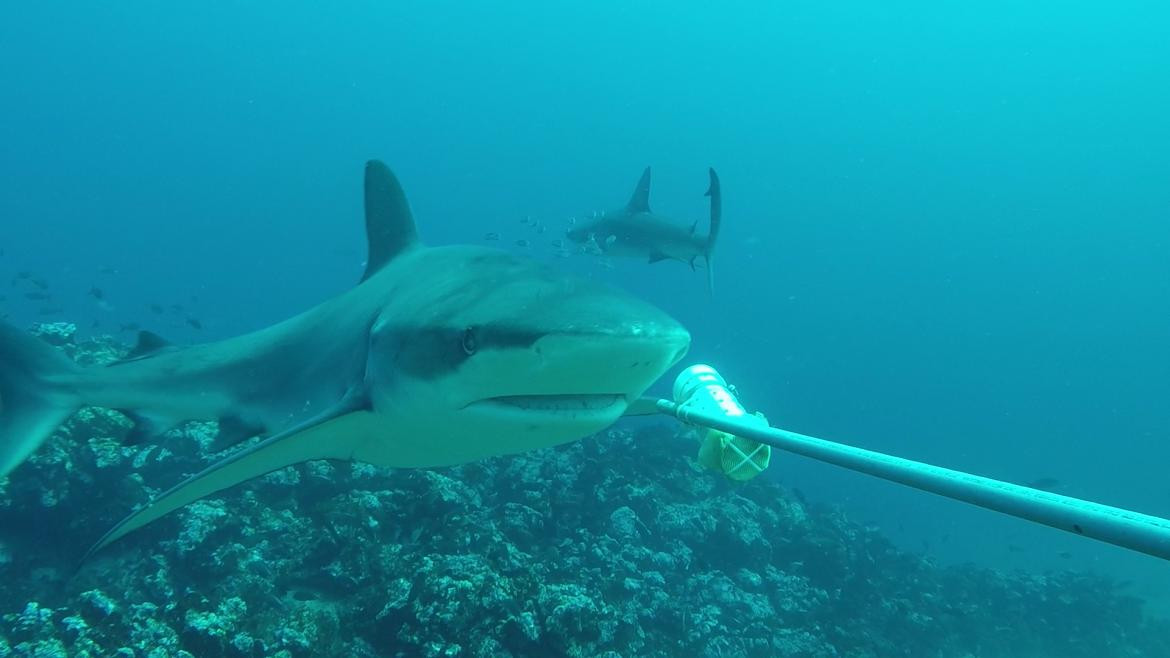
(500, 354)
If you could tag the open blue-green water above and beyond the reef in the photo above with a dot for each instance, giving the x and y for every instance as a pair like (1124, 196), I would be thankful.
(946, 225)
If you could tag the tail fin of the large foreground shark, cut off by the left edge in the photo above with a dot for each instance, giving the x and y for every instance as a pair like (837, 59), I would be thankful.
(35, 395)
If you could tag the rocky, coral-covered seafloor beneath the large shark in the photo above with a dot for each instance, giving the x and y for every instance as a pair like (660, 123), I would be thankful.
(614, 546)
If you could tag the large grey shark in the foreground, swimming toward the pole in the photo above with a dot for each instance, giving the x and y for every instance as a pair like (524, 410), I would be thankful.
(439, 357)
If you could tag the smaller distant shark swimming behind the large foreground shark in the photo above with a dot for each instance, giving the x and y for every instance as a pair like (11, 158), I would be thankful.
(638, 232)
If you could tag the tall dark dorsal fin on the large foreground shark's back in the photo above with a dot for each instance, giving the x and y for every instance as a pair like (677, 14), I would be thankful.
(390, 225)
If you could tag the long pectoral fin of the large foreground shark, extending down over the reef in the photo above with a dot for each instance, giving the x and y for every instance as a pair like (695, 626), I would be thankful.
(335, 438)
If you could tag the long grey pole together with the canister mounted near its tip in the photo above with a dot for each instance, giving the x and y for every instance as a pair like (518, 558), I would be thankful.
(738, 444)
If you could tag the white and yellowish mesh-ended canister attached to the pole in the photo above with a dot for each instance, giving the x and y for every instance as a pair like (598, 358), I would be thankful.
(704, 390)
